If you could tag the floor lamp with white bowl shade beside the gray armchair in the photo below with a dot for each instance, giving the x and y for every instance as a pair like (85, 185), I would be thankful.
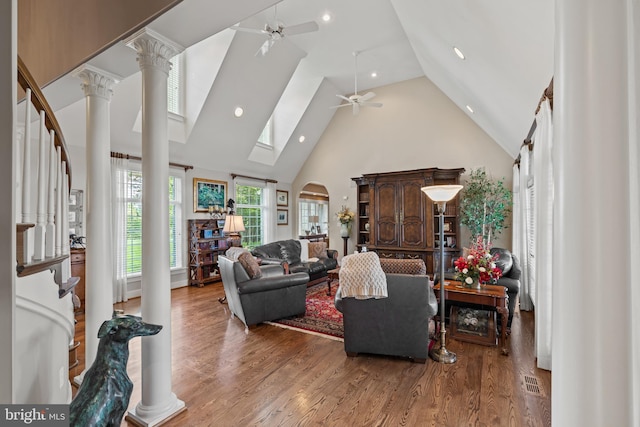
(441, 194)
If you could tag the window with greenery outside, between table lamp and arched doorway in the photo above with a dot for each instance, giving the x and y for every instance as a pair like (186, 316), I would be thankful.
(251, 205)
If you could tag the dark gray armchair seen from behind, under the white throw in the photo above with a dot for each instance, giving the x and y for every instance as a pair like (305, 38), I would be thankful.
(393, 326)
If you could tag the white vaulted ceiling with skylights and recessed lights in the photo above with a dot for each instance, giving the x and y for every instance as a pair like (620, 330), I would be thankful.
(508, 46)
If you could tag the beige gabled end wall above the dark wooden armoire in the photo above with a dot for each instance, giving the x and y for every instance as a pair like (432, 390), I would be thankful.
(418, 127)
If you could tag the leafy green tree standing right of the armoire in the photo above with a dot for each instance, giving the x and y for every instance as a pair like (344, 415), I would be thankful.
(485, 204)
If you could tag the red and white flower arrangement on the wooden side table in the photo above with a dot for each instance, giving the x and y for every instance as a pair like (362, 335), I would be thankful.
(478, 266)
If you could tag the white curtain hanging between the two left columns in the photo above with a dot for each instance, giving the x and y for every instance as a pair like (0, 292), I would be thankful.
(119, 227)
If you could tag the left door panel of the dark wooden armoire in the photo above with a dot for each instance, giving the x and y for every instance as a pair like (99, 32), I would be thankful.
(386, 201)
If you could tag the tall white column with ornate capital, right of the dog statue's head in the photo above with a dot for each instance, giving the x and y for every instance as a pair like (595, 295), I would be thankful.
(158, 402)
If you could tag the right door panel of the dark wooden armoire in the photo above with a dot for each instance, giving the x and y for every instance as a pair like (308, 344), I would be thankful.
(413, 214)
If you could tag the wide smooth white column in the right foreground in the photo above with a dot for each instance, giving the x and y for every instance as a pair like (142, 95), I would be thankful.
(594, 337)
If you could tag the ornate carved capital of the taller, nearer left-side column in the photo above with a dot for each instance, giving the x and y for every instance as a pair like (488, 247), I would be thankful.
(153, 49)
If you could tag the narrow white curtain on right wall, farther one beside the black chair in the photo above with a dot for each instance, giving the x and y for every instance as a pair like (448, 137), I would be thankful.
(526, 257)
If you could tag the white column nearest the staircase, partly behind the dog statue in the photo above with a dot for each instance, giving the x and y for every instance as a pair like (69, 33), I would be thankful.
(97, 85)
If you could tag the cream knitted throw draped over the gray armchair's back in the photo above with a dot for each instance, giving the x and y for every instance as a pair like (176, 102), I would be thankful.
(362, 277)
